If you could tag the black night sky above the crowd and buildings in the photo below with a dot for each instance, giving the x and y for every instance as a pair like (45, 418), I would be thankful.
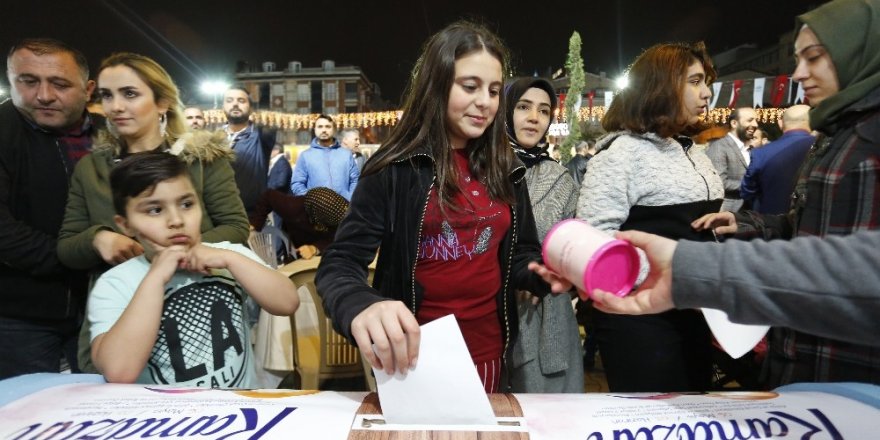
(197, 40)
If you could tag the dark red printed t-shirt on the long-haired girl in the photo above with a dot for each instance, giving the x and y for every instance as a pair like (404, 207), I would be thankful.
(458, 264)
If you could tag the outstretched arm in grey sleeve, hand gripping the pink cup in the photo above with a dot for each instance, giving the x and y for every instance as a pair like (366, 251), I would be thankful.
(806, 284)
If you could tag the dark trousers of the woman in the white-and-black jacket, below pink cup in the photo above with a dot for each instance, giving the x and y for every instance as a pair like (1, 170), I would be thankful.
(666, 352)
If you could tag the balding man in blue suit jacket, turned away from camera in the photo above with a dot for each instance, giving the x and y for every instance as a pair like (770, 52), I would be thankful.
(770, 178)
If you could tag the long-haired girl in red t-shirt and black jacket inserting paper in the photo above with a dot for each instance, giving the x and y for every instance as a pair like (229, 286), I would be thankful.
(445, 204)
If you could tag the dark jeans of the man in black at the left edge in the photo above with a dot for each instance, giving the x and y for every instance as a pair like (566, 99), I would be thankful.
(36, 345)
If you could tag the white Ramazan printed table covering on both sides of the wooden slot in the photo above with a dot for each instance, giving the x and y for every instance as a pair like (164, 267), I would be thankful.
(31, 405)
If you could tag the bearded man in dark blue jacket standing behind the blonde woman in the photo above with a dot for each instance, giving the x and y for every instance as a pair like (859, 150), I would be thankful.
(251, 143)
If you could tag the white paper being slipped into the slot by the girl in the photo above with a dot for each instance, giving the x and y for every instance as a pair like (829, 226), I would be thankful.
(443, 389)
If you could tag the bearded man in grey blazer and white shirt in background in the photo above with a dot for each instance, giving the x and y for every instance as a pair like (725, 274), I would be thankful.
(730, 155)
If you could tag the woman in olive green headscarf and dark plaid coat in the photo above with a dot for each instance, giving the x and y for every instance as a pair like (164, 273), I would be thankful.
(836, 193)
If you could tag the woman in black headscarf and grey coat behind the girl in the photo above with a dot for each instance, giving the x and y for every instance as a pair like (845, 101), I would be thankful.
(546, 358)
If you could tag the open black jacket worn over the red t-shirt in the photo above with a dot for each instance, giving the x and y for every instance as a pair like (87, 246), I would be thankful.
(387, 213)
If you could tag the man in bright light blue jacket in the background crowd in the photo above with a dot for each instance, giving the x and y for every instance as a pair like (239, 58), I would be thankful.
(325, 164)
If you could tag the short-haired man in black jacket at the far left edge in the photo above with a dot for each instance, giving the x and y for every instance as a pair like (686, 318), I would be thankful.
(44, 130)
